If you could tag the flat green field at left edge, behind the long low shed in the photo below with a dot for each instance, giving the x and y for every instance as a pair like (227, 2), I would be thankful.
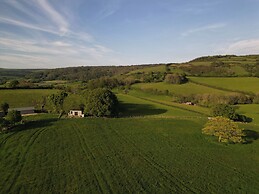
(23, 97)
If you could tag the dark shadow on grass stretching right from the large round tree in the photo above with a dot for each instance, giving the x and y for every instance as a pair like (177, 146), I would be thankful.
(130, 109)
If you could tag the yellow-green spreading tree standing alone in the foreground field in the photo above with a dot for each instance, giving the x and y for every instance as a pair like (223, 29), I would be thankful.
(225, 129)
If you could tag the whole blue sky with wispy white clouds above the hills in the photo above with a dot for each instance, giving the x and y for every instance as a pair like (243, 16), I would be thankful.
(61, 33)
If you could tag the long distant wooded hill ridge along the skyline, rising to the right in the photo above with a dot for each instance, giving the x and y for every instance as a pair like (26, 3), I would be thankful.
(207, 66)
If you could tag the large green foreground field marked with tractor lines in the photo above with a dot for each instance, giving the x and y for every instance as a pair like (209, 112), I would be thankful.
(127, 155)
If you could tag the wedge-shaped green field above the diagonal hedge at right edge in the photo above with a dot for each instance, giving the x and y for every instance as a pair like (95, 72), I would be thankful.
(246, 84)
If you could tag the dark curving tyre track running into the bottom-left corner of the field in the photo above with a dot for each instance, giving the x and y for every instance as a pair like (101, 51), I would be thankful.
(15, 174)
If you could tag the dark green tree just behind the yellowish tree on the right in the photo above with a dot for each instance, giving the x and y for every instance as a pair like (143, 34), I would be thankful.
(224, 110)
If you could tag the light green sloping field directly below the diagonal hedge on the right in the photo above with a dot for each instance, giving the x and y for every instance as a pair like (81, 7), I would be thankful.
(183, 89)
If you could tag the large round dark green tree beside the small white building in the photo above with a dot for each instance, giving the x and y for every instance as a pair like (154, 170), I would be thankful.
(101, 103)
